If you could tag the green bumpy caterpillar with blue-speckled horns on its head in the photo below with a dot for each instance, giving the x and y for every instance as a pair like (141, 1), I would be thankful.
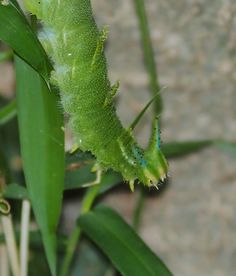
(76, 46)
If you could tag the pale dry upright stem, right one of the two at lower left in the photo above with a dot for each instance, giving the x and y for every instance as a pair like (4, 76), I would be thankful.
(24, 239)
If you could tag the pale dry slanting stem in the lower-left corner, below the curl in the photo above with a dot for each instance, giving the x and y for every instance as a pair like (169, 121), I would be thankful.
(11, 244)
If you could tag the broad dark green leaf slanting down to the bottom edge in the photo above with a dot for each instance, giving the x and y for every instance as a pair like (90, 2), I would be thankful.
(129, 254)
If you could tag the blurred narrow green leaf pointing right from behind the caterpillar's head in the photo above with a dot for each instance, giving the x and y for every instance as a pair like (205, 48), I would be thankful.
(179, 149)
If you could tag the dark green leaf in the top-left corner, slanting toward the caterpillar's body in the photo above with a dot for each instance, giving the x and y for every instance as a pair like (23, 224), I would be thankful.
(17, 33)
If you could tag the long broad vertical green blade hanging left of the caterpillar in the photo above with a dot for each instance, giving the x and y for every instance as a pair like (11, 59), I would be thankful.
(42, 150)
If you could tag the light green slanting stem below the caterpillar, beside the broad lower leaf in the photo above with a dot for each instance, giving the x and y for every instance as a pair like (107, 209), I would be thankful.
(75, 236)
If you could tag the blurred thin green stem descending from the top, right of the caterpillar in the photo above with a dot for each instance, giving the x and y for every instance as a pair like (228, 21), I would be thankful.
(148, 53)
